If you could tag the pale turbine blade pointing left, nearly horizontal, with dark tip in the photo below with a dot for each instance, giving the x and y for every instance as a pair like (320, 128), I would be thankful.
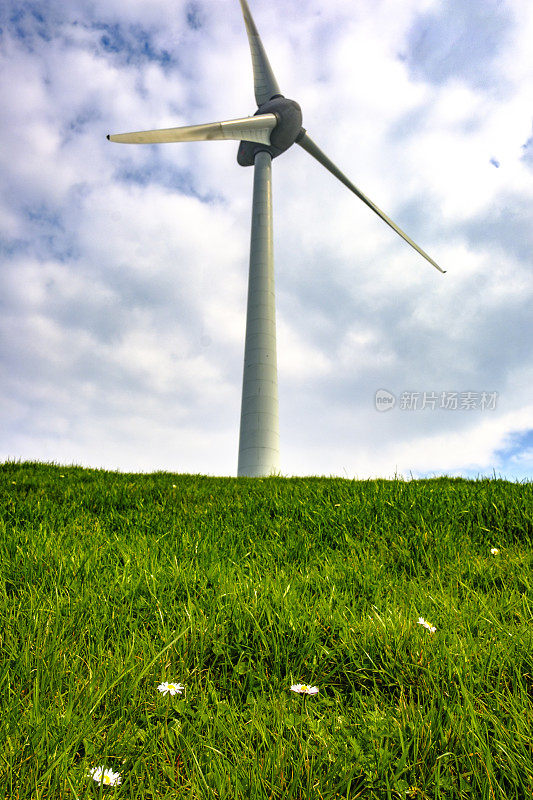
(249, 129)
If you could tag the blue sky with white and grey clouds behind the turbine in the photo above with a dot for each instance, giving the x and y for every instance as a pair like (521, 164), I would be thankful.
(124, 268)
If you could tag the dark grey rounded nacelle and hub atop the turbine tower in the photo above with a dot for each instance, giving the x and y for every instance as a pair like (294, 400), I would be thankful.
(286, 132)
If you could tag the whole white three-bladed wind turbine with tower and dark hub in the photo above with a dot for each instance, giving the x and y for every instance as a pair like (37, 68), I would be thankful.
(275, 126)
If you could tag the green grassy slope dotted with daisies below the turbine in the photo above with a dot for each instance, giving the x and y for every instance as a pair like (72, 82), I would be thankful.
(113, 583)
